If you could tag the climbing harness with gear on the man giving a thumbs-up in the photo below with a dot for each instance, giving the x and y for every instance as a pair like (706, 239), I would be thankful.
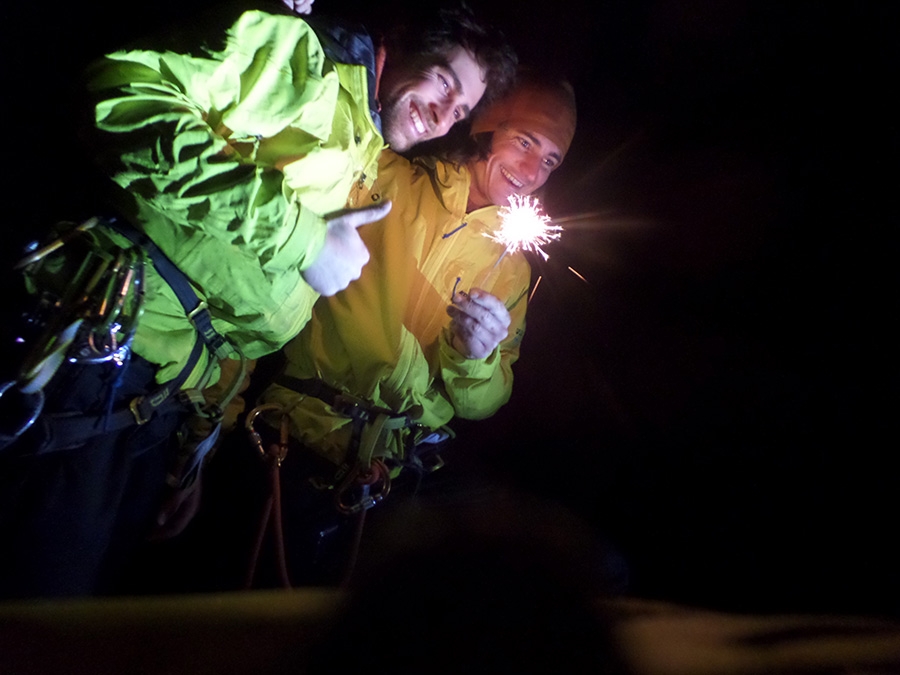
(92, 320)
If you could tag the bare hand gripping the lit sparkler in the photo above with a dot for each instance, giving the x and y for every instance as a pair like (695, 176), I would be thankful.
(479, 322)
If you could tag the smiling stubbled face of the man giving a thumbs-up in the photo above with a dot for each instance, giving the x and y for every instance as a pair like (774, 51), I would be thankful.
(422, 104)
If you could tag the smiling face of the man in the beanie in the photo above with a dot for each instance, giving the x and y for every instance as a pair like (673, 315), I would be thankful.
(520, 162)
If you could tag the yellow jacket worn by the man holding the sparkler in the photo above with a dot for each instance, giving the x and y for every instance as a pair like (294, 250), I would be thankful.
(385, 338)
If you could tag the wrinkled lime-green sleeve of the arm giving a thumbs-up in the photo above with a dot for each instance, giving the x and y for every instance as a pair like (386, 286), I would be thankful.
(181, 134)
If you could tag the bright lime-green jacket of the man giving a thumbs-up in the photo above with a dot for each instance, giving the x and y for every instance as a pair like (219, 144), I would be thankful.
(229, 162)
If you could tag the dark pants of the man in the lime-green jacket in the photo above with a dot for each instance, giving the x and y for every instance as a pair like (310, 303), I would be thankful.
(70, 518)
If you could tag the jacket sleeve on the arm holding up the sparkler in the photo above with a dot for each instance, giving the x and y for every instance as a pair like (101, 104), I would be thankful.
(478, 388)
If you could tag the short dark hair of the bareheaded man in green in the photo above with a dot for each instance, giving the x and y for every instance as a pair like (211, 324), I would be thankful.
(427, 36)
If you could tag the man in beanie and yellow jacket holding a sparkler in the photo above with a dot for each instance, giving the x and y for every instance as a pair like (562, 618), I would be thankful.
(432, 328)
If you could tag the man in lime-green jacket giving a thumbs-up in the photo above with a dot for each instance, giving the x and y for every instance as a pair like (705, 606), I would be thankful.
(234, 162)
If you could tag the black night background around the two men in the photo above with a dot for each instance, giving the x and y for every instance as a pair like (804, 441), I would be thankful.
(718, 395)
